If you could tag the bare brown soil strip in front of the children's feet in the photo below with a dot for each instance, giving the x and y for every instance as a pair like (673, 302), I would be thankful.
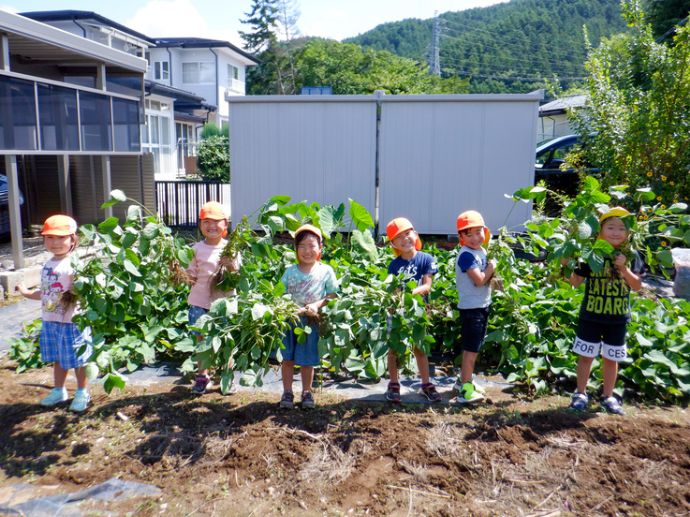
(241, 455)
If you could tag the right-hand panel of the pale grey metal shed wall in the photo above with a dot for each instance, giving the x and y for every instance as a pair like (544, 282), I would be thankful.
(439, 157)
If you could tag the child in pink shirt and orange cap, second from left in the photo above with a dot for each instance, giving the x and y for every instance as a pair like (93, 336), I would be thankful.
(213, 223)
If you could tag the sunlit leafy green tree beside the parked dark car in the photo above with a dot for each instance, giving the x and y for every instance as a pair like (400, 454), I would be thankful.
(639, 110)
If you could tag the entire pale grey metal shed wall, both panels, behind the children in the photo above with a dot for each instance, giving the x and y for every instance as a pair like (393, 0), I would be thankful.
(438, 154)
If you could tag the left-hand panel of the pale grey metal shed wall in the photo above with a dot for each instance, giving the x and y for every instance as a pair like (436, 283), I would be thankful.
(323, 152)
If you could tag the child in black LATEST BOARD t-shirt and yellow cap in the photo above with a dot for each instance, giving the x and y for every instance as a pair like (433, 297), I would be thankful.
(605, 312)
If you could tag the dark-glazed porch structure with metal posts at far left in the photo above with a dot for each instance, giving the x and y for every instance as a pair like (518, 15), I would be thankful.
(71, 113)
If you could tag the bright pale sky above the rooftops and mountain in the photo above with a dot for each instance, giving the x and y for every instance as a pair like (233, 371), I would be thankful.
(335, 19)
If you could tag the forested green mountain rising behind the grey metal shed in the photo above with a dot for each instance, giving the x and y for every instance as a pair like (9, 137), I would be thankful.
(511, 47)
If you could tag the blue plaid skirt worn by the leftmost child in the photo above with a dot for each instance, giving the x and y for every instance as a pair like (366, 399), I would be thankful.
(65, 344)
